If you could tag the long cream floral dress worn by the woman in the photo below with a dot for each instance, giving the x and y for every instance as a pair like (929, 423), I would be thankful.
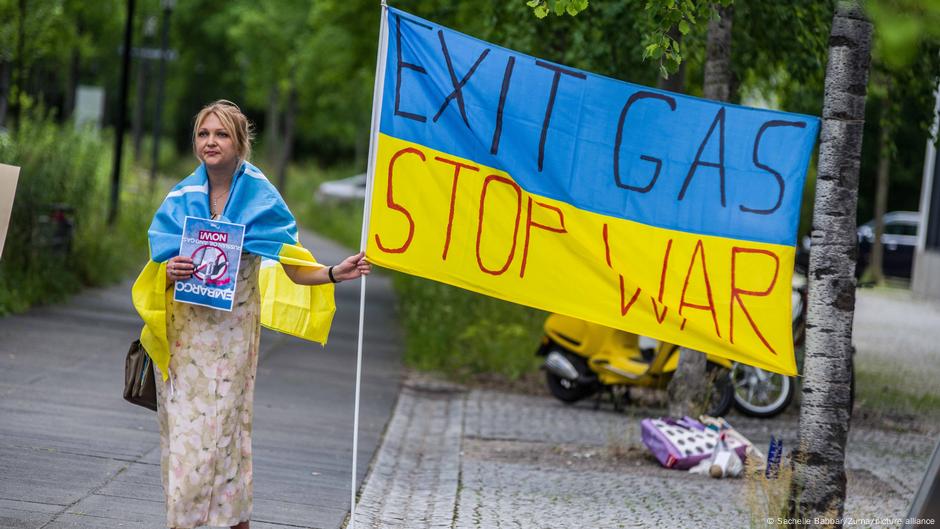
(205, 408)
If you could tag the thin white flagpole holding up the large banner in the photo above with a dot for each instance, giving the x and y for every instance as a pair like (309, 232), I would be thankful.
(373, 145)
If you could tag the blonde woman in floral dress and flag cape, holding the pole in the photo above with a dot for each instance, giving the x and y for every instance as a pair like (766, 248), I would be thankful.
(208, 358)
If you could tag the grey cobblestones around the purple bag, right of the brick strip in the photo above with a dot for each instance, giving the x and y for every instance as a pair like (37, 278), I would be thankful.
(884, 468)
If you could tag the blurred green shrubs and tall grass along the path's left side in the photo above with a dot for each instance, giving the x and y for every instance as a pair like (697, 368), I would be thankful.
(63, 169)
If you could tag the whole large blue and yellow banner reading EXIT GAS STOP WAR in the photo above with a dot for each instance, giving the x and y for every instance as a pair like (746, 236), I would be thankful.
(658, 213)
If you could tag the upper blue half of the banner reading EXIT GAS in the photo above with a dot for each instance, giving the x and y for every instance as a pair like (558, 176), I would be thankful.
(607, 146)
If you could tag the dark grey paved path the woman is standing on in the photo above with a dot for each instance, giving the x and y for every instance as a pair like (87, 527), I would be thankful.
(74, 455)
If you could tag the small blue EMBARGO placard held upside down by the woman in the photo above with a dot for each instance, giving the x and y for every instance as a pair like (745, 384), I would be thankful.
(216, 249)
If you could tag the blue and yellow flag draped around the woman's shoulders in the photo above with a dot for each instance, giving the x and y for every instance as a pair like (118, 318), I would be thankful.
(270, 231)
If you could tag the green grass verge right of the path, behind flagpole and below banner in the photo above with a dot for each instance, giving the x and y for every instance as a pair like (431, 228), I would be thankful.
(455, 332)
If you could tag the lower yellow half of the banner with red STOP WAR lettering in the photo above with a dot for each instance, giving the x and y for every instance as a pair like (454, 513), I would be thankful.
(452, 220)
